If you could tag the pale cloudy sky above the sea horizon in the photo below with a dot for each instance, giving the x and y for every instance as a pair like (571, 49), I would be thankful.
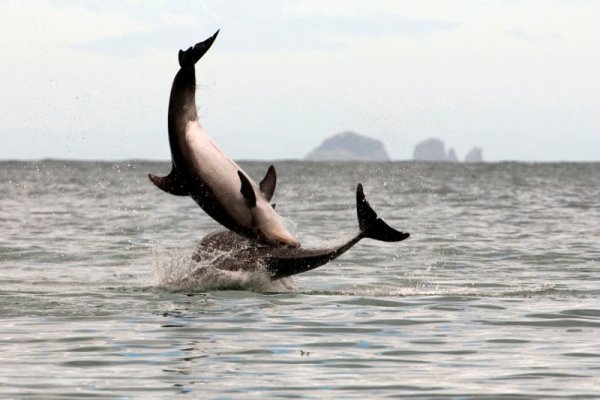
(91, 79)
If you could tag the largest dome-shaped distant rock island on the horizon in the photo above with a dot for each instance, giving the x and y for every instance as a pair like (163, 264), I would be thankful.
(349, 146)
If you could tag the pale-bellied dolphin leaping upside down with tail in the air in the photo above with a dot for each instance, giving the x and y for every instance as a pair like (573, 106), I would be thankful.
(202, 171)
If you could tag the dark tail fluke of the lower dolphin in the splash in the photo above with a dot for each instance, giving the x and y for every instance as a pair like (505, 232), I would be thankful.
(370, 225)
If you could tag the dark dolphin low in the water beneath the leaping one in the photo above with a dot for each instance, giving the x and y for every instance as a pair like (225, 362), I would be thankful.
(226, 250)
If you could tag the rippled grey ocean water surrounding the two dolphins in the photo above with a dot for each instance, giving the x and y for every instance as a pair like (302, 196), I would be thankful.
(494, 295)
